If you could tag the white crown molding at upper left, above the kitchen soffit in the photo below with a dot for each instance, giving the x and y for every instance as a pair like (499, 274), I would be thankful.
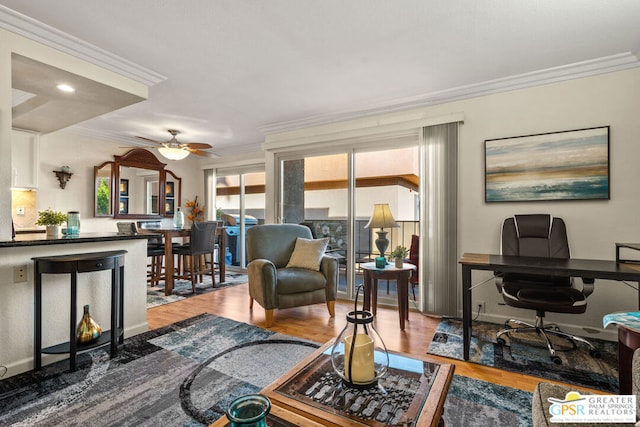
(32, 29)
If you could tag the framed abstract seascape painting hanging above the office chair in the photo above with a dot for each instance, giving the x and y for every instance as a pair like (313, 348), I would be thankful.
(567, 165)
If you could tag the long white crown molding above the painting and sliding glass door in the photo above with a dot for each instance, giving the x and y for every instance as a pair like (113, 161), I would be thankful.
(577, 70)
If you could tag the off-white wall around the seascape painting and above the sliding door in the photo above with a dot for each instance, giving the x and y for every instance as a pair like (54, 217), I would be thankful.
(593, 226)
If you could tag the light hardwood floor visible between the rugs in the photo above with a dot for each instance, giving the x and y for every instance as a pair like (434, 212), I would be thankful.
(313, 323)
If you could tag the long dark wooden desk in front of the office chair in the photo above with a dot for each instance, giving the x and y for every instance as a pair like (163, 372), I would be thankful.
(585, 268)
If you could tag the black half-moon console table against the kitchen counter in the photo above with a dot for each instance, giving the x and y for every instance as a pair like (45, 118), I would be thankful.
(74, 264)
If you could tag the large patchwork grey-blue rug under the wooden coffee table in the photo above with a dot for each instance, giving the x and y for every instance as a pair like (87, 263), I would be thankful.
(167, 377)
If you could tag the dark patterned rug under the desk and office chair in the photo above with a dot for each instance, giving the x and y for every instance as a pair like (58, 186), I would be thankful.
(528, 355)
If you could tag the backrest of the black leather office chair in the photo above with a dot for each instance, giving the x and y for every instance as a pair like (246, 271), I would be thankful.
(536, 235)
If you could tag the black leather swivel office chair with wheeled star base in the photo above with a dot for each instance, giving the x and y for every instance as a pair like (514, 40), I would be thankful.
(545, 237)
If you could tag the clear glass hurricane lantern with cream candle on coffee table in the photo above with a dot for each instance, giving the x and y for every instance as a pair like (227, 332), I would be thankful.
(363, 360)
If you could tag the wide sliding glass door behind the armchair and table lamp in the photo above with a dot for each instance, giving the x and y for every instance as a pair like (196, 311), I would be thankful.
(333, 194)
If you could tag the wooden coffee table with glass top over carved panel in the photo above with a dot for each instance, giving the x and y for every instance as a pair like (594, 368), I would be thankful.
(416, 390)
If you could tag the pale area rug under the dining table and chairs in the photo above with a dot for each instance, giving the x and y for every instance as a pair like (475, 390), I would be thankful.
(182, 289)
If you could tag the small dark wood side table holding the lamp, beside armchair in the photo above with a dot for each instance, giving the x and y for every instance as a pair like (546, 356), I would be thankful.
(401, 275)
